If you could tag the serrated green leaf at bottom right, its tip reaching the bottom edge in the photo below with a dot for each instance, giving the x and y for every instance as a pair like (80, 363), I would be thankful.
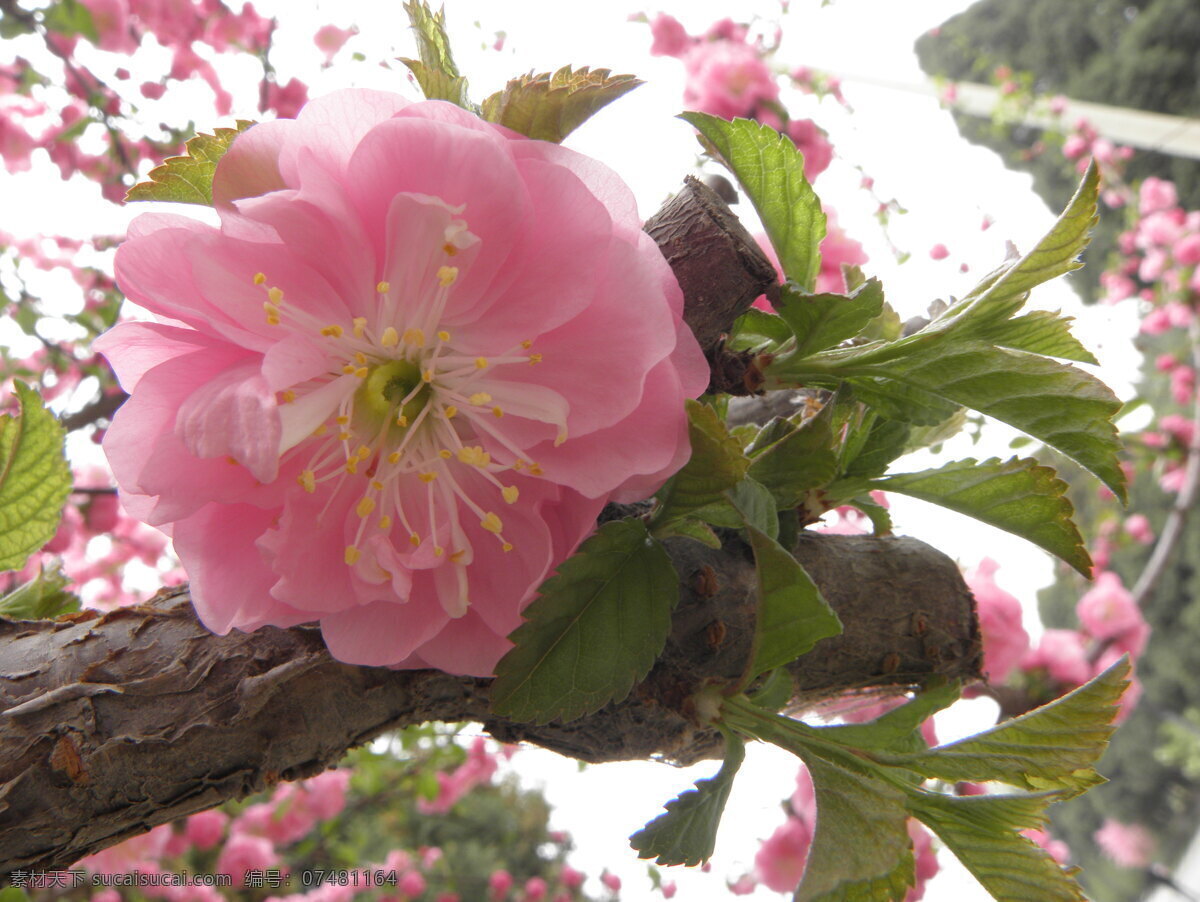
(982, 832)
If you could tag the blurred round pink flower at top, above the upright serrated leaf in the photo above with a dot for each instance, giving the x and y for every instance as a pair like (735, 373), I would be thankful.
(728, 80)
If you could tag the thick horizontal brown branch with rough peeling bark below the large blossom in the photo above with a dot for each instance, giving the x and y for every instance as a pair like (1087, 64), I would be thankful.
(112, 724)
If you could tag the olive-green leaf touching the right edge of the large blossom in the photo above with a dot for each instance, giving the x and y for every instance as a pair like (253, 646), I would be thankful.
(717, 465)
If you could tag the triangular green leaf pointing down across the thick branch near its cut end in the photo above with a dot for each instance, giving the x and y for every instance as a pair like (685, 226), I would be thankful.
(793, 615)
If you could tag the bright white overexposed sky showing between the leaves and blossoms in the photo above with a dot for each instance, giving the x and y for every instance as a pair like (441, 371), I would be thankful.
(904, 141)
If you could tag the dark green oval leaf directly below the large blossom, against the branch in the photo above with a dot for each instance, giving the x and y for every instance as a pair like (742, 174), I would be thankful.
(595, 632)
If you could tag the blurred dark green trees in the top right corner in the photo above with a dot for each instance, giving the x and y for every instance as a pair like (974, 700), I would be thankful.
(1127, 53)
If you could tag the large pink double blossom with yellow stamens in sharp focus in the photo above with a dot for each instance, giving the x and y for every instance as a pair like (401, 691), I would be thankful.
(399, 383)
